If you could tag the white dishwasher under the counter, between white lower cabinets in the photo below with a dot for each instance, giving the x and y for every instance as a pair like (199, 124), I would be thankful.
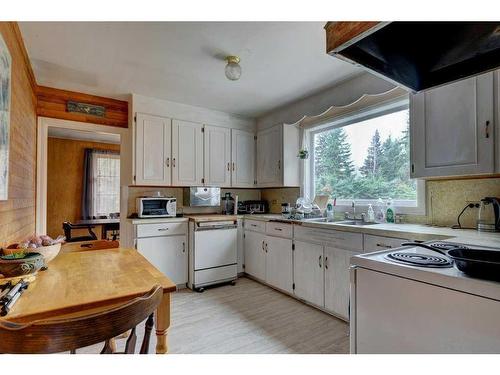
(212, 253)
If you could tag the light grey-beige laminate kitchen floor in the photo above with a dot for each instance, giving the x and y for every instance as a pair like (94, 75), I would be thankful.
(247, 318)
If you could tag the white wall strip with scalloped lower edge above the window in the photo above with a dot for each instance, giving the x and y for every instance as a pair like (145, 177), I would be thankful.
(341, 94)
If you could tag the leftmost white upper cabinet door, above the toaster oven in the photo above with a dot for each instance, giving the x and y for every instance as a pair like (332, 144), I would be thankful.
(153, 150)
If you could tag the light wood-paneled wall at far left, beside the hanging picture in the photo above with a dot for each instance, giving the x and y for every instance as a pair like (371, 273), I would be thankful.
(17, 214)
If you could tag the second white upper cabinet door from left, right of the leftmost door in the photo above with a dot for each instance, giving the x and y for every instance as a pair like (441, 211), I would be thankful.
(187, 153)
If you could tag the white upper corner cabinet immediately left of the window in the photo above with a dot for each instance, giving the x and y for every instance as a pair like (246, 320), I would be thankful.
(277, 162)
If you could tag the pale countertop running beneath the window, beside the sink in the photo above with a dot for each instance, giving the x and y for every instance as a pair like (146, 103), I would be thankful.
(411, 231)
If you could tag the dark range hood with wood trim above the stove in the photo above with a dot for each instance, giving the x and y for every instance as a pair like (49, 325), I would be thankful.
(417, 55)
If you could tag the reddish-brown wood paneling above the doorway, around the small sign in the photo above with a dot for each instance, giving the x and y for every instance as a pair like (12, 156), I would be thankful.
(51, 102)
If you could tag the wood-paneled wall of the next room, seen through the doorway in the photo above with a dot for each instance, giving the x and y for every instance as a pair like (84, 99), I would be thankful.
(64, 182)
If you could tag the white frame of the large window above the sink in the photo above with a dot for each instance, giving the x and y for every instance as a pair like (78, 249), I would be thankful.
(344, 205)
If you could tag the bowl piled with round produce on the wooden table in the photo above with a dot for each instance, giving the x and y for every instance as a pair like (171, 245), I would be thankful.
(29, 256)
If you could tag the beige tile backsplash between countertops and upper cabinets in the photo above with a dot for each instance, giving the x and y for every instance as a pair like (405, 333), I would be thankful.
(445, 199)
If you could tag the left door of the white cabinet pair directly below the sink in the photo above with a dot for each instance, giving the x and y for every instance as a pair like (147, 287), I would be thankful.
(308, 272)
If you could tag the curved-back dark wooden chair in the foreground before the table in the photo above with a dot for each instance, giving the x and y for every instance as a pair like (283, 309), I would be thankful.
(60, 335)
